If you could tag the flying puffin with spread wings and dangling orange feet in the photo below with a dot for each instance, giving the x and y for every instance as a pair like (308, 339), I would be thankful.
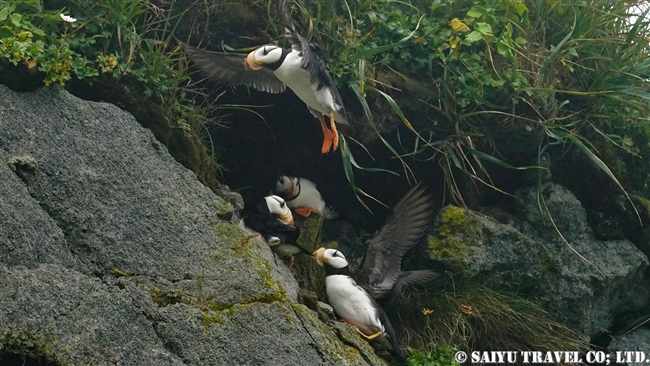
(272, 69)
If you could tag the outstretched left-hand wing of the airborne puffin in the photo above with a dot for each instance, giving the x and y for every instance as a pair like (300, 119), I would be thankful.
(229, 69)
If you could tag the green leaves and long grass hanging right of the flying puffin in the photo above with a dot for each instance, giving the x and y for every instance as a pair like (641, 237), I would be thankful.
(569, 73)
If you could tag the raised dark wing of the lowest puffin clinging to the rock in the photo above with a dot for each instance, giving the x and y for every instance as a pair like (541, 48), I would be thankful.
(381, 265)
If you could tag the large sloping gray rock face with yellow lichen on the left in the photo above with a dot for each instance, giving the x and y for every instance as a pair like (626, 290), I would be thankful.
(98, 198)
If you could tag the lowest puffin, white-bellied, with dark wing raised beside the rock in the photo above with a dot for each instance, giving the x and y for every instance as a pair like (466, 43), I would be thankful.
(353, 297)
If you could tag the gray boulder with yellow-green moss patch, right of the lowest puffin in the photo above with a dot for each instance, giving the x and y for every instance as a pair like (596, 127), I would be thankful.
(585, 282)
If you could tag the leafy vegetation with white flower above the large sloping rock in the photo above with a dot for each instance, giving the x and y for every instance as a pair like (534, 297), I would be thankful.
(111, 46)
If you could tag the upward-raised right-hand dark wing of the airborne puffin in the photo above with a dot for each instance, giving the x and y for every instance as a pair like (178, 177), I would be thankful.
(311, 61)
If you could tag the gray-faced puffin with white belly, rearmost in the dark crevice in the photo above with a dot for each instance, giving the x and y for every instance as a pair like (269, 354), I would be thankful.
(302, 196)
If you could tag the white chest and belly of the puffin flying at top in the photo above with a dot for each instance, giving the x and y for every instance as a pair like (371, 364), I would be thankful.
(297, 79)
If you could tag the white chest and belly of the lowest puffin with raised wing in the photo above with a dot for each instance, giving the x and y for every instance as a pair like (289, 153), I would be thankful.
(352, 303)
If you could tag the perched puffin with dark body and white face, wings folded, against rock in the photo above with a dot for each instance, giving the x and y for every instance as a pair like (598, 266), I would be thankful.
(273, 222)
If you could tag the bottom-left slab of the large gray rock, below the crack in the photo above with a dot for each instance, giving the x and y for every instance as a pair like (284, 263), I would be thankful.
(79, 317)
